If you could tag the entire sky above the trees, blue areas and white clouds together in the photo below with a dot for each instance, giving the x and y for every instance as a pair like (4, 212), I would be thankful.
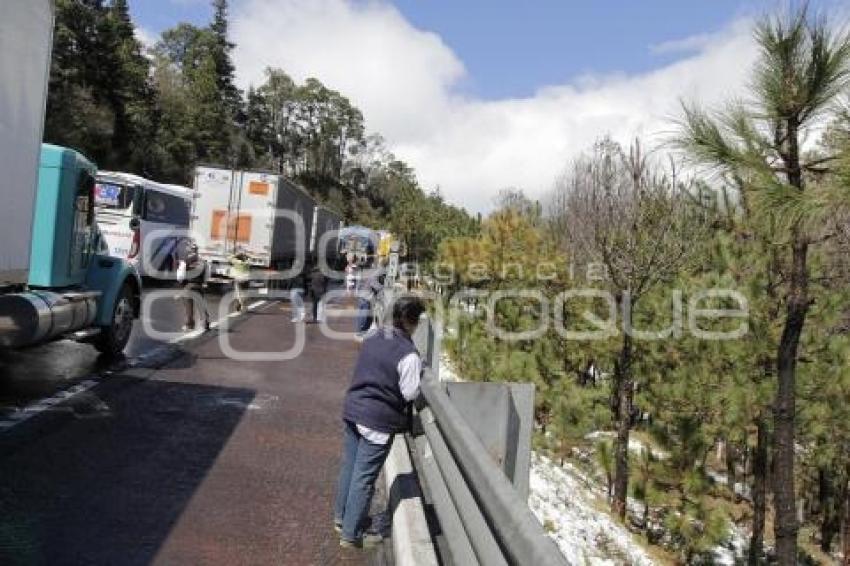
(479, 95)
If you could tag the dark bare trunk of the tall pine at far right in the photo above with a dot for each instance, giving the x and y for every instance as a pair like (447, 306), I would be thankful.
(785, 528)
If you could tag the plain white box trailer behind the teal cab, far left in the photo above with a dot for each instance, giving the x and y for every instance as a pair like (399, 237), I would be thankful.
(26, 33)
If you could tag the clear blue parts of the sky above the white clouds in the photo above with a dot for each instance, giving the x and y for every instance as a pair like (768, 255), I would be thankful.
(511, 49)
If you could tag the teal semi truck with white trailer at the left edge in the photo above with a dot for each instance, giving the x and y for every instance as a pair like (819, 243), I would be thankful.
(56, 277)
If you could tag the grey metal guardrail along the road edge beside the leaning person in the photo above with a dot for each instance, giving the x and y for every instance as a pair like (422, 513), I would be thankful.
(483, 518)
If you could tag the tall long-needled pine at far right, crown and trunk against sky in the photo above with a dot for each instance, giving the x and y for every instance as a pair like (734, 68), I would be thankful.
(802, 69)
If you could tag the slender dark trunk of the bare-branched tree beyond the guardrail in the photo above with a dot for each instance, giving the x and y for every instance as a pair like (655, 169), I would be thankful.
(622, 414)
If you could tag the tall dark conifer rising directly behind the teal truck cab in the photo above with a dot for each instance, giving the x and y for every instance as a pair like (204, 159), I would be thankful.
(100, 99)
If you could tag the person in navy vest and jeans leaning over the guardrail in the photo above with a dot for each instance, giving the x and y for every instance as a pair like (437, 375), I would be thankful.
(385, 382)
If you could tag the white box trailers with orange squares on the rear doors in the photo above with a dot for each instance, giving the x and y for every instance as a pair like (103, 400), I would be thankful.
(265, 216)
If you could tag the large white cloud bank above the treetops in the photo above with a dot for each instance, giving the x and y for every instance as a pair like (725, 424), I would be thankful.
(405, 80)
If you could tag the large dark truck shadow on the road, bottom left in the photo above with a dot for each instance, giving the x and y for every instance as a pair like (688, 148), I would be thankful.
(107, 483)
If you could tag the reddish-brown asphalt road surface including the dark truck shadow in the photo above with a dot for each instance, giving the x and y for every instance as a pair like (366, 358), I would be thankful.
(181, 456)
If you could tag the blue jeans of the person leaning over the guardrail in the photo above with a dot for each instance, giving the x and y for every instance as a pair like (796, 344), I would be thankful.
(361, 463)
